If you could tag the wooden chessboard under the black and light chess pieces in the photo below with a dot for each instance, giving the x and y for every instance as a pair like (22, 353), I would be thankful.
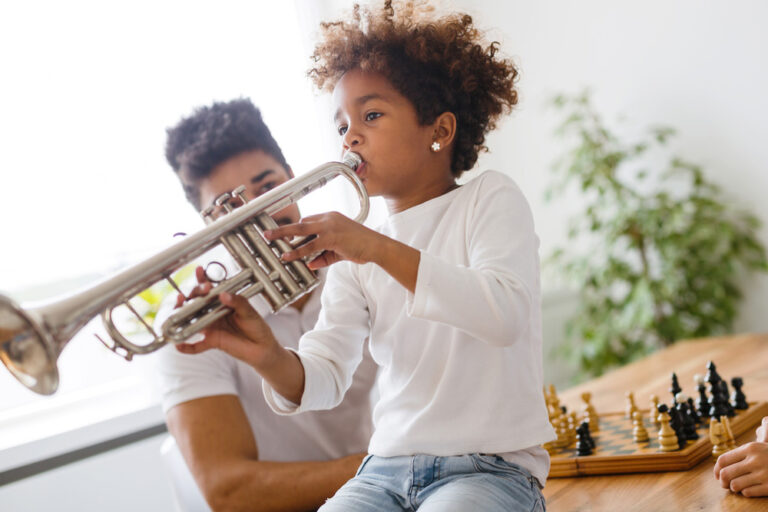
(616, 452)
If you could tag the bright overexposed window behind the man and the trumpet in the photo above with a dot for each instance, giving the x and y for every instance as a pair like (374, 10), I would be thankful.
(88, 90)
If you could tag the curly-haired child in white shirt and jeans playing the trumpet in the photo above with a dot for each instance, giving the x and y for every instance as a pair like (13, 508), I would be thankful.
(447, 289)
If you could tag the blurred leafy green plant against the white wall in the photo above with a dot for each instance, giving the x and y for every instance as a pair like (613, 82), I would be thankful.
(656, 255)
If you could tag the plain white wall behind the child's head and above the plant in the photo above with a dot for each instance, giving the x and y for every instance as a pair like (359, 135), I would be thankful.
(700, 66)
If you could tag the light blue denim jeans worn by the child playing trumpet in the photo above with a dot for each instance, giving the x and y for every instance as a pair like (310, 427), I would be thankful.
(426, 483)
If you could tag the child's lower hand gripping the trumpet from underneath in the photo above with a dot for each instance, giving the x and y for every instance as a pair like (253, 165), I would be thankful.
(242, 334)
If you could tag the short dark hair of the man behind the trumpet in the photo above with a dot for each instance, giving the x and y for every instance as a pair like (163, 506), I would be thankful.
(213, 135)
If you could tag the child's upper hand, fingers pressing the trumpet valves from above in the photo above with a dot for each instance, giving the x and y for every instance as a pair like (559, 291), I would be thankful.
(337, 238)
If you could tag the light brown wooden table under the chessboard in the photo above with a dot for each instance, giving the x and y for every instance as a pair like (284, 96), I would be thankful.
(745, 356)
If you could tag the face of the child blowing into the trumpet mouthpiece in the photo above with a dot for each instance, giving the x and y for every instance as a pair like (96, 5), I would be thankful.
(381, 125)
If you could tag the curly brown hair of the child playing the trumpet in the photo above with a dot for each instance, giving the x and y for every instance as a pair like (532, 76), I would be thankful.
(439, 65)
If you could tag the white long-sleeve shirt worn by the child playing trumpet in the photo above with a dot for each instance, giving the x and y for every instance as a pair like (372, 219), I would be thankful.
(461, 358)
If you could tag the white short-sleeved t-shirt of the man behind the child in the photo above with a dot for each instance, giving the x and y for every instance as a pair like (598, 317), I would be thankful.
(315, 436)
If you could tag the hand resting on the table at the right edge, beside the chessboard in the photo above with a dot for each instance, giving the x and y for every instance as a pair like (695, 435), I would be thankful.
(745, 469)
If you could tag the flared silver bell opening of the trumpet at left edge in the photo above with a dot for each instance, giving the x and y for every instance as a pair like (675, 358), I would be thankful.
(26, 350)
